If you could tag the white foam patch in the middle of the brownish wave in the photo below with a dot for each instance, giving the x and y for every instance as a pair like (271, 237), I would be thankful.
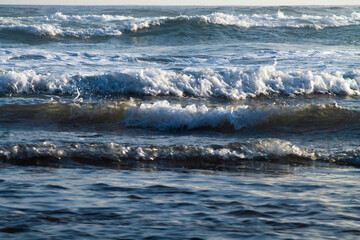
(164, 116)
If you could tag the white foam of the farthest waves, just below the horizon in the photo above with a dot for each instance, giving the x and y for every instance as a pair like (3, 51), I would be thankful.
(115, 25)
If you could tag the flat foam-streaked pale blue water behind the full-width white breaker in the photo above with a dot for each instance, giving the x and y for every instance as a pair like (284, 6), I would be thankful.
(73, 62)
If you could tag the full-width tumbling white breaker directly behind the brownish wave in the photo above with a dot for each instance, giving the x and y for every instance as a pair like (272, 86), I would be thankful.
(230, 83)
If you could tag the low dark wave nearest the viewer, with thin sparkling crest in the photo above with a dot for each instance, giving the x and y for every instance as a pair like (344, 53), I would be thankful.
(231, 155)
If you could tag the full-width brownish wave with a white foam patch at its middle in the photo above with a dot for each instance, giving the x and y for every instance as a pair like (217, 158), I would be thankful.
(163, 115)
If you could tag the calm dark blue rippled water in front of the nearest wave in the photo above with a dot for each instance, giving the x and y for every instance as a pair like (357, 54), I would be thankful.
(262, 202)
